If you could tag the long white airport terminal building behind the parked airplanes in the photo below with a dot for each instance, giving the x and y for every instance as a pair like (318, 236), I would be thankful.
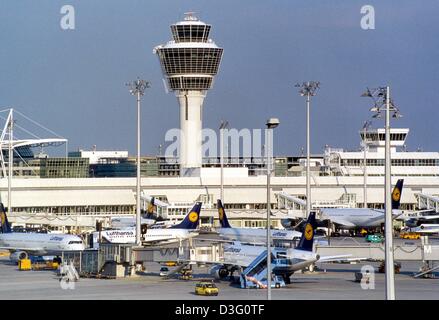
(73, 192)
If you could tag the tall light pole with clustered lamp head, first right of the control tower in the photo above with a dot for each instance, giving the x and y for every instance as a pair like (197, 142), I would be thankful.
(308, 89)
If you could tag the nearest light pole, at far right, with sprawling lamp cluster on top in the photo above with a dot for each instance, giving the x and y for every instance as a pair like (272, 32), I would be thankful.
(381, 97)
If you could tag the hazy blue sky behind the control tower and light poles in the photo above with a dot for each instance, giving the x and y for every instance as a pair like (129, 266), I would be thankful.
(73, 81)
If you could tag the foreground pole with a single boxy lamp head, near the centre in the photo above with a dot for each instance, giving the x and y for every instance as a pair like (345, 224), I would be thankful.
(271, 124)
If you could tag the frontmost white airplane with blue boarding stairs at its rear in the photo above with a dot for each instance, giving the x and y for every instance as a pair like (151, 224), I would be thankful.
(238, 256)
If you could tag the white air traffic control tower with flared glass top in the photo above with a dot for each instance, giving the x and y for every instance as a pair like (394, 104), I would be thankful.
(189, 63)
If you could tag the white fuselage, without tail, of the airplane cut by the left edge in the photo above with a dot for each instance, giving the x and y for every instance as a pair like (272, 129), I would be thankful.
(40, 243)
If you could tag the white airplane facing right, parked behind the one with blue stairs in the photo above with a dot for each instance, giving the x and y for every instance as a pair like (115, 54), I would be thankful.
(251, 235)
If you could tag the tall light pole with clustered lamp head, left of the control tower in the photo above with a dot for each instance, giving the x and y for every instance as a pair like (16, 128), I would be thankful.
(137, 88)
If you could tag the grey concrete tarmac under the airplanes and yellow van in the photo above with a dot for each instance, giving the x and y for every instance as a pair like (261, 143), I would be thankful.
(331, 281)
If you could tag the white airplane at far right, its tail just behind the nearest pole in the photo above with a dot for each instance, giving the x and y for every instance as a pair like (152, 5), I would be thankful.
(353, 218)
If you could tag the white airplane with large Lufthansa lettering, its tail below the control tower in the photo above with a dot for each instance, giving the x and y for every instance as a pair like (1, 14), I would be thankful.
(184, 230)
